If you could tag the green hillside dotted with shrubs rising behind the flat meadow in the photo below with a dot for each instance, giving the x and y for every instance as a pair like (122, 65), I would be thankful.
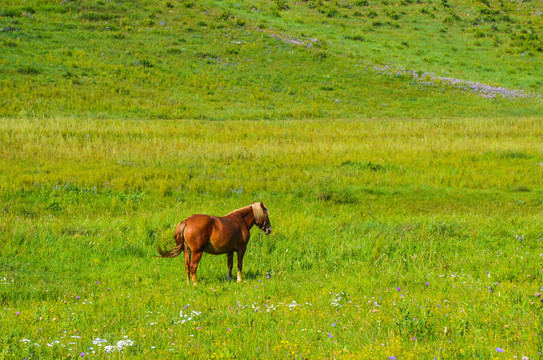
(270, 59)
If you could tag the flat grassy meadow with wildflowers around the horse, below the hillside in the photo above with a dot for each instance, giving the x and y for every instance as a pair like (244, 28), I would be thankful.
(414, 239)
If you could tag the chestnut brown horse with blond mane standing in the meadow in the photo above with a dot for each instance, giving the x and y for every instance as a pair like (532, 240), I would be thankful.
(217, 235)
